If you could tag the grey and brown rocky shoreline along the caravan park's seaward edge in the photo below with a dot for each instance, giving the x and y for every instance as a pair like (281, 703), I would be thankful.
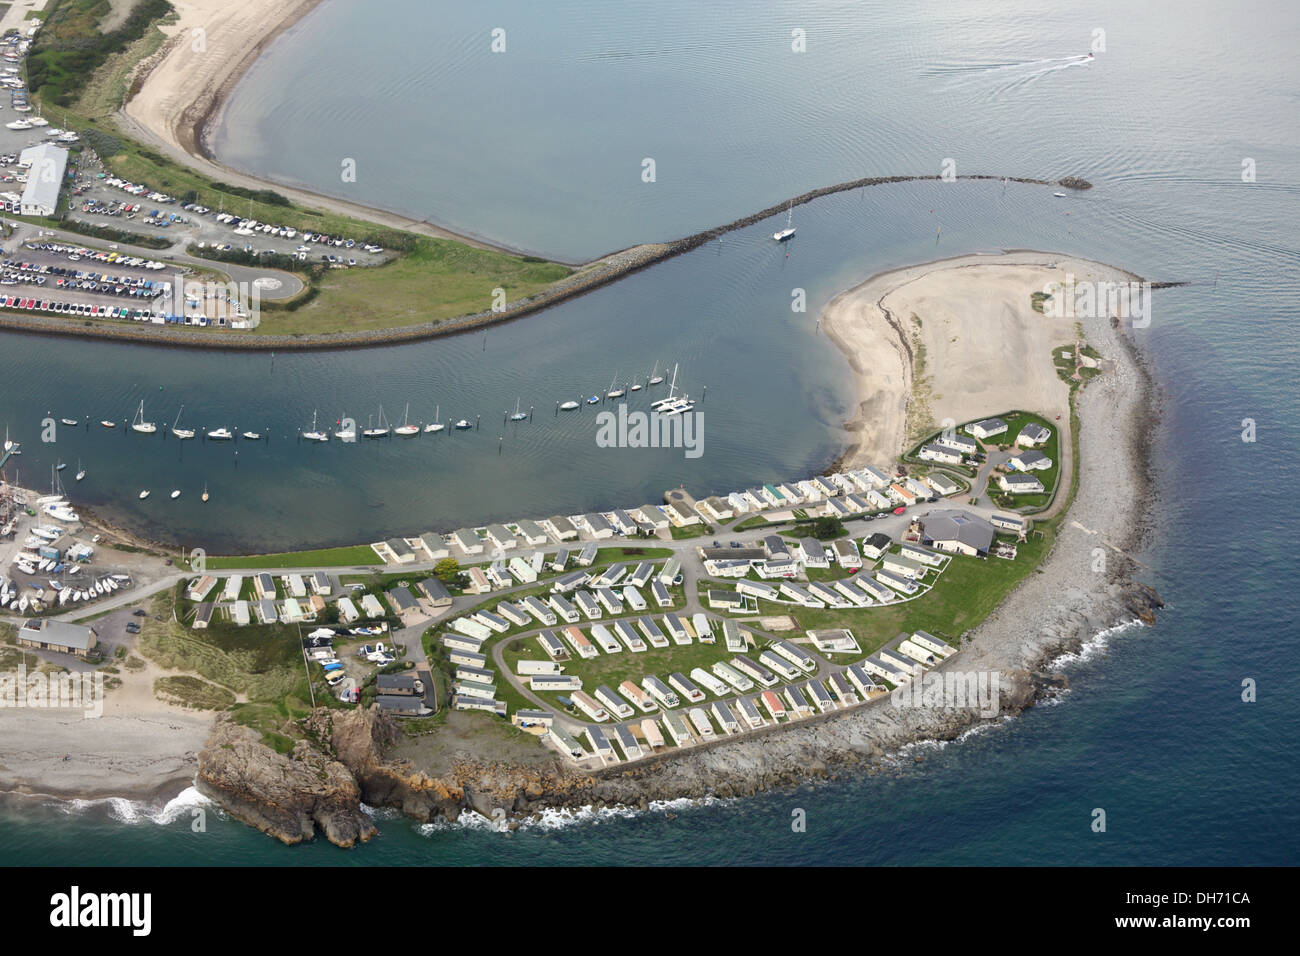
(1074, 596)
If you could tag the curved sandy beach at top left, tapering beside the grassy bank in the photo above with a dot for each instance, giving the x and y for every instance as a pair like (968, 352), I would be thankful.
(181, 92)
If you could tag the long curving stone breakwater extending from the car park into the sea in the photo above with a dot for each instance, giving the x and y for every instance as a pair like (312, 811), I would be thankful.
(587, 279)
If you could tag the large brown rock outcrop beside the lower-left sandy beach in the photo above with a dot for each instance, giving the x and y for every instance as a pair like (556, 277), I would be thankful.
(289, 797)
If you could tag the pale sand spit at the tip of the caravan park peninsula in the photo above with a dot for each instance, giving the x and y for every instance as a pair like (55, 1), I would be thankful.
(980, 348)
